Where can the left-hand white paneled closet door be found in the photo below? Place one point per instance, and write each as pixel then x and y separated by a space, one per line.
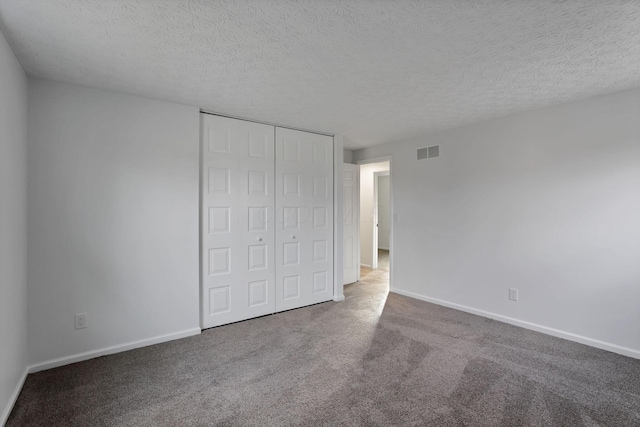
pixel 238 237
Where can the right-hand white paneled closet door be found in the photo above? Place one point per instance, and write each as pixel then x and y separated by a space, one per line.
pixel 304 224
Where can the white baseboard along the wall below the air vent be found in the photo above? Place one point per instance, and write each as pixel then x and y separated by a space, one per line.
pixel 625 351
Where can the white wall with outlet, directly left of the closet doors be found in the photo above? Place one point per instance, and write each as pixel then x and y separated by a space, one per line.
pixel 113 221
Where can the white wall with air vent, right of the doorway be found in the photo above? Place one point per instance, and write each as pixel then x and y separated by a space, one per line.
pixel 547 202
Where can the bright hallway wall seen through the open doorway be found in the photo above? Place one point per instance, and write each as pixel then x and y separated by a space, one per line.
pixel 367 210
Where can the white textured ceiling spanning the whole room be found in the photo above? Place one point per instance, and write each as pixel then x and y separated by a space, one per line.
pixel 373 71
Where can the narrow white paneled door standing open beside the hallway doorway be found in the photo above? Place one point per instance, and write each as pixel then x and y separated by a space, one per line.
pixel 351 222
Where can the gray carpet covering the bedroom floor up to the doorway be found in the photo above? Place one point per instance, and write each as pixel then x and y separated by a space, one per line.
pixel 370 360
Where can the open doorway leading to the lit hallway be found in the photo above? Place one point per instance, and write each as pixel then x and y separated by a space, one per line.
pixel 375 220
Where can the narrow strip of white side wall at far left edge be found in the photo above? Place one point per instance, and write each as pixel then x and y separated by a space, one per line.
pixel 13 234
